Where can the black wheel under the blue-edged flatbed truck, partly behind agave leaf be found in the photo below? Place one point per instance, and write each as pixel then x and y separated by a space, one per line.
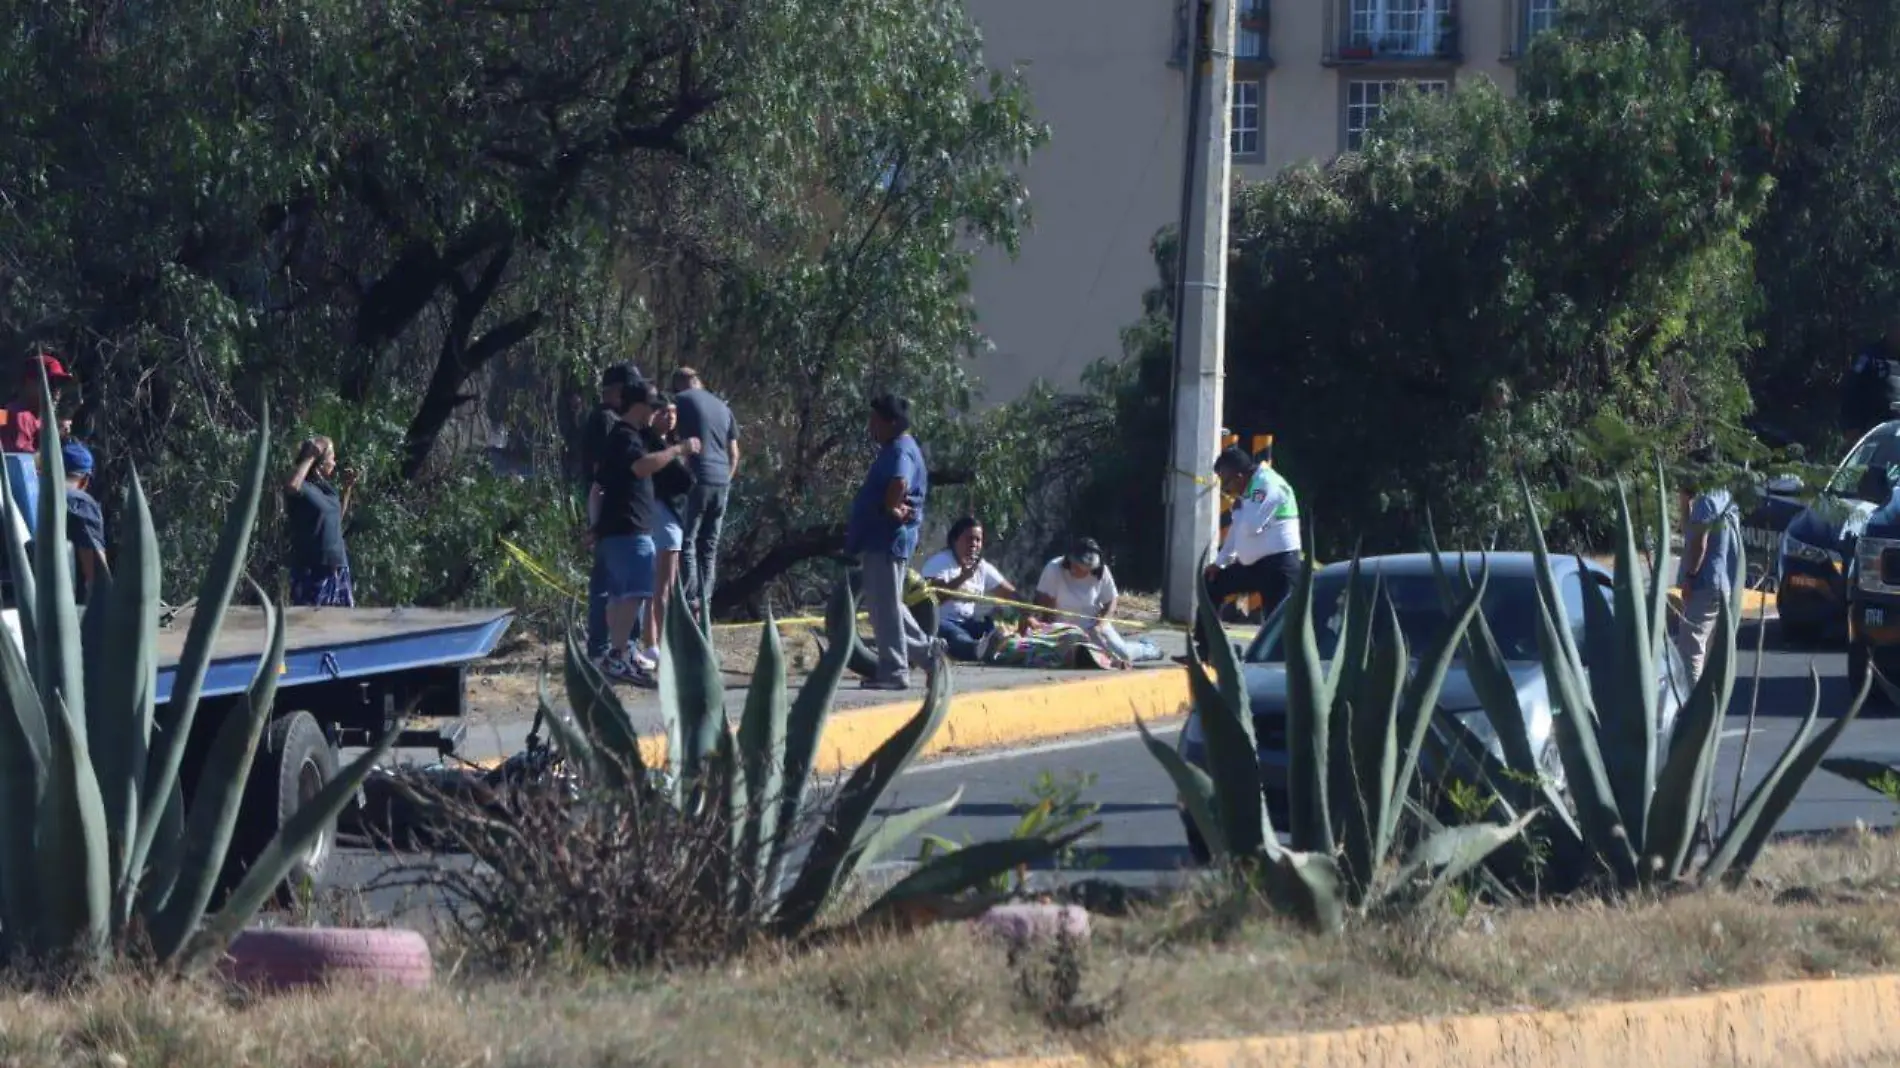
pixel 292 767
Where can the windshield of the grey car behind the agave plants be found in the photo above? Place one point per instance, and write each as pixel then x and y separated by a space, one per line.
pixel 1510 609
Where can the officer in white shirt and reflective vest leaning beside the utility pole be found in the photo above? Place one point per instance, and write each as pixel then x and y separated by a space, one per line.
pixel 1263 552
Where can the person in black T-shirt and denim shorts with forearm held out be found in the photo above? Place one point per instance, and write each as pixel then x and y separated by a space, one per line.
pixel 624 531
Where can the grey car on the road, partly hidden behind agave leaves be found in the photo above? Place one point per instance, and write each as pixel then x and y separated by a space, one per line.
pixel 1413 588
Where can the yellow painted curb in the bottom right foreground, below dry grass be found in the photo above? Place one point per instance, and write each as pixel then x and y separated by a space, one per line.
pixel 1793 1025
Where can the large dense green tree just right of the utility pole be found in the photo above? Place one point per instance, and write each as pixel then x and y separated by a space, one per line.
pixel 1477 290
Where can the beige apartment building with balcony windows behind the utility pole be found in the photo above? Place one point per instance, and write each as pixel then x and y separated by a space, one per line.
pixel 1111 81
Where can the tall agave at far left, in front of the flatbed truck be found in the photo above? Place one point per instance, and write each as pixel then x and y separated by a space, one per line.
pixel 100 854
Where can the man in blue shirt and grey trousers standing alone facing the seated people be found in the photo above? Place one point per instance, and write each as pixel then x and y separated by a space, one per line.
pixel 886 520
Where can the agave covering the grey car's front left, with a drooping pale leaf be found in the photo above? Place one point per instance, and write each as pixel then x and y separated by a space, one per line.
pixel 1354 755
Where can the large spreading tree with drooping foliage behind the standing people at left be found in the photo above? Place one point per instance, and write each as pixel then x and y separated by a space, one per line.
pixel 419 227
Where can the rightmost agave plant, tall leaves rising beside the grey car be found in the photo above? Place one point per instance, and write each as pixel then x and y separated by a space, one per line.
pixel 1635 805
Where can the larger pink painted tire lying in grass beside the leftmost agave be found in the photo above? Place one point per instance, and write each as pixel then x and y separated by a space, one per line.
pixel 280 959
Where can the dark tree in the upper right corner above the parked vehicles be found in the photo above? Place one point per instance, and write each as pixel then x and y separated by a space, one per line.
pixel 1829 238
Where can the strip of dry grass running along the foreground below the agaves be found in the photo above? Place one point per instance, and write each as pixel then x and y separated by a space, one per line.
pixel 1192 970
